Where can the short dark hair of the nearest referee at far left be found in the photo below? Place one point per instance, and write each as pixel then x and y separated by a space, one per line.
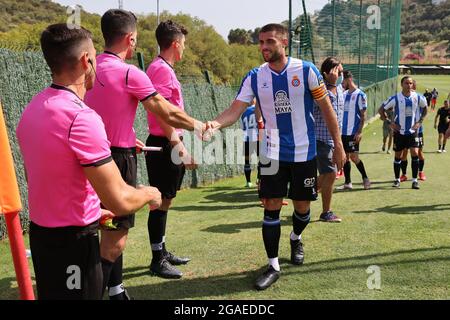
pixel 61 46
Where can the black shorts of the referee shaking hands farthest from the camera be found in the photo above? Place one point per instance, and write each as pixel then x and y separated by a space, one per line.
pixel 163 174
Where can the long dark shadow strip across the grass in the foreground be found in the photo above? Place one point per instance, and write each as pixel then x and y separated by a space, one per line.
pixel 238 282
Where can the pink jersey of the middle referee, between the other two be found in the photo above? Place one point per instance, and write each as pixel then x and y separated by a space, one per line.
pixel 116 95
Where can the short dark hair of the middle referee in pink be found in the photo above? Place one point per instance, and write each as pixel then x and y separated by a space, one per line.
pixel 116 23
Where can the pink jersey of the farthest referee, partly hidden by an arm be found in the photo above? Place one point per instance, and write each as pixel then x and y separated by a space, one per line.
pixel 164 79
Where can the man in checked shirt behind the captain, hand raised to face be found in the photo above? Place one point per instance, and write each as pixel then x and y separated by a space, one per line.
pixel 331 70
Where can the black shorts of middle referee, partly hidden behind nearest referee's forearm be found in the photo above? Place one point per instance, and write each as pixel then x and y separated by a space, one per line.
pixel 126 161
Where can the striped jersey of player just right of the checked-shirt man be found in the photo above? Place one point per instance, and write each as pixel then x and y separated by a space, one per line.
pixel 354 104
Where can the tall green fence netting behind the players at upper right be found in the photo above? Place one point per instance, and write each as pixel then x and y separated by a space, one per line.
pixel 363 34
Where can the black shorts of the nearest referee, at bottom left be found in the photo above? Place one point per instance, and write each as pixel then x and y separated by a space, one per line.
pixel 67 262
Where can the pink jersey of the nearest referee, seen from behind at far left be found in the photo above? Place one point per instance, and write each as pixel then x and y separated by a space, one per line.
pixel 58 136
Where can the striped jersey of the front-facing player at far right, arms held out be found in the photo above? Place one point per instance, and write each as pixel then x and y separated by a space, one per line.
pixel 405 110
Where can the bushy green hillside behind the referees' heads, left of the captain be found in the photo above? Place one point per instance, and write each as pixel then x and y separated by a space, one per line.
pixel 23 21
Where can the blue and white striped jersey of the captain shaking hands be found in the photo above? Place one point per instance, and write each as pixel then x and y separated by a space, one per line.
pixel 286 100
